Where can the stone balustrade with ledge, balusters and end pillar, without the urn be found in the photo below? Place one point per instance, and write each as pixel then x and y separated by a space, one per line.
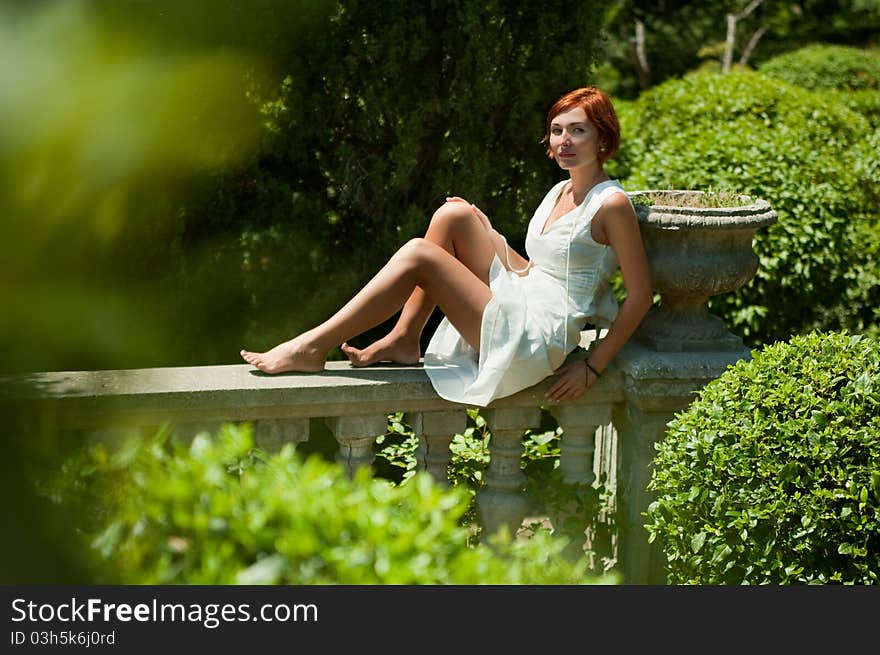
pixel 631 404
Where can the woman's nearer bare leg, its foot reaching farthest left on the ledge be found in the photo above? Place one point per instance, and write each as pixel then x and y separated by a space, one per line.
pixel 461 294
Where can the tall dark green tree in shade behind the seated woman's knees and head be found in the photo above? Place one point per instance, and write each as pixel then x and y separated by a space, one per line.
pixel 392 108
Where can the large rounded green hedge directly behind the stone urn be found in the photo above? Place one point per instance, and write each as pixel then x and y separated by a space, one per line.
pixel 808 156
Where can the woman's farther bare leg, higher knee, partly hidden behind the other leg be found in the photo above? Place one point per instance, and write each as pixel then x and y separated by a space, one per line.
pixel 456 228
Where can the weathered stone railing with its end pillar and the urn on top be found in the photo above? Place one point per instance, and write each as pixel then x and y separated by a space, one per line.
pixel 695 251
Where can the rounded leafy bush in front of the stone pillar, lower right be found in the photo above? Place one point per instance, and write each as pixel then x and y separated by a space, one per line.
pixel 772 476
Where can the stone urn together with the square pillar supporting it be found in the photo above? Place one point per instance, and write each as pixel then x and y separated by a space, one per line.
pixel 694 253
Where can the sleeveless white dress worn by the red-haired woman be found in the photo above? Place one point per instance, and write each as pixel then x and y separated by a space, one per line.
pixel 533 321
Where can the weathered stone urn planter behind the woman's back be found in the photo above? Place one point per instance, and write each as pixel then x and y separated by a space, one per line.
pixel 696 250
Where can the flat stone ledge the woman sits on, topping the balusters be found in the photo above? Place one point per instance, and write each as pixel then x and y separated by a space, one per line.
pixel 241 393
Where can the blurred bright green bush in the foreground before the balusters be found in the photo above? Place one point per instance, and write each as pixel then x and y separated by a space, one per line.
pixel 219 511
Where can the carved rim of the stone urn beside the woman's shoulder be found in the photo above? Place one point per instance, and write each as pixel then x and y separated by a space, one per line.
pixel 757 213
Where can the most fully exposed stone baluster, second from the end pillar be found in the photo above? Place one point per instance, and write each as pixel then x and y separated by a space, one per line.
pixel 502 503
